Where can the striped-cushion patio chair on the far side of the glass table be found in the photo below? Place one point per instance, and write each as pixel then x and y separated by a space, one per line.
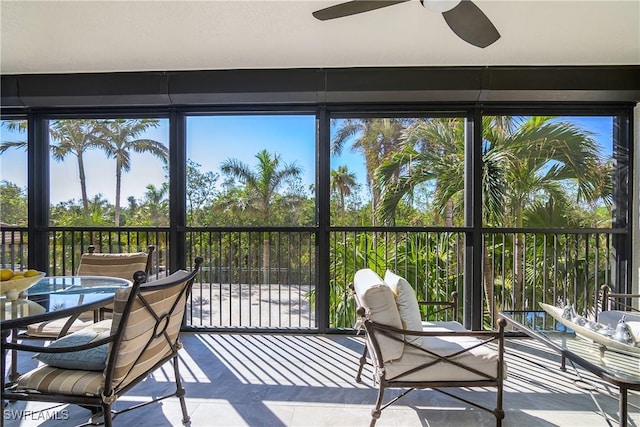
pixel 121 265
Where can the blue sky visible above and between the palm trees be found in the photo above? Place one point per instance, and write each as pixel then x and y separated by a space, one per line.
pixel 210 141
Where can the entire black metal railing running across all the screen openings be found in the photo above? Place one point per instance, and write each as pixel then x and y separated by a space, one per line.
pixel 267 278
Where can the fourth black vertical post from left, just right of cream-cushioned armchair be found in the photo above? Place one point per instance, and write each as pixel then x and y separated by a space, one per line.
pixel 473 301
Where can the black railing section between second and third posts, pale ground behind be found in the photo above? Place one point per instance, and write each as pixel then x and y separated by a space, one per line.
pixel 254 278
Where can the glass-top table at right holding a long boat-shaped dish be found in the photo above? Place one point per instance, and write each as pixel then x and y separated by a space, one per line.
pixel 616 367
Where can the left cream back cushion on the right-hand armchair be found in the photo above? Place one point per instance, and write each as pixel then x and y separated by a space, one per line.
pixel 379 302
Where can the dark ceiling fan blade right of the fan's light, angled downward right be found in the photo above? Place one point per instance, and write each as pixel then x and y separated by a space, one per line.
pixel 471 24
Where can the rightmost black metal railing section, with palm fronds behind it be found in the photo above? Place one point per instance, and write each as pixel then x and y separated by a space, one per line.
pixel 528 267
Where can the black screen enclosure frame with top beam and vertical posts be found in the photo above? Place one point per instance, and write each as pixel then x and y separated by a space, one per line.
pixel 379 103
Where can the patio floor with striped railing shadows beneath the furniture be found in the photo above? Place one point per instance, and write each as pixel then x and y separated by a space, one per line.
pixel 308 380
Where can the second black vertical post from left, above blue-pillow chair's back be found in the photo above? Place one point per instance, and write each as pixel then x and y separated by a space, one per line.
pixel 177 192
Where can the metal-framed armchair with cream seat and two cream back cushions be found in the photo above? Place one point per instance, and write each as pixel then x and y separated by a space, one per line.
pixel 408 353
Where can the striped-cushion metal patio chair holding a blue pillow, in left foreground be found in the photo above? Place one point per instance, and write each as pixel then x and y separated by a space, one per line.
pixel 96 366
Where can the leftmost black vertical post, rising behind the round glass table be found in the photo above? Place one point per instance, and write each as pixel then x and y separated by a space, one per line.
pixel 38 192
